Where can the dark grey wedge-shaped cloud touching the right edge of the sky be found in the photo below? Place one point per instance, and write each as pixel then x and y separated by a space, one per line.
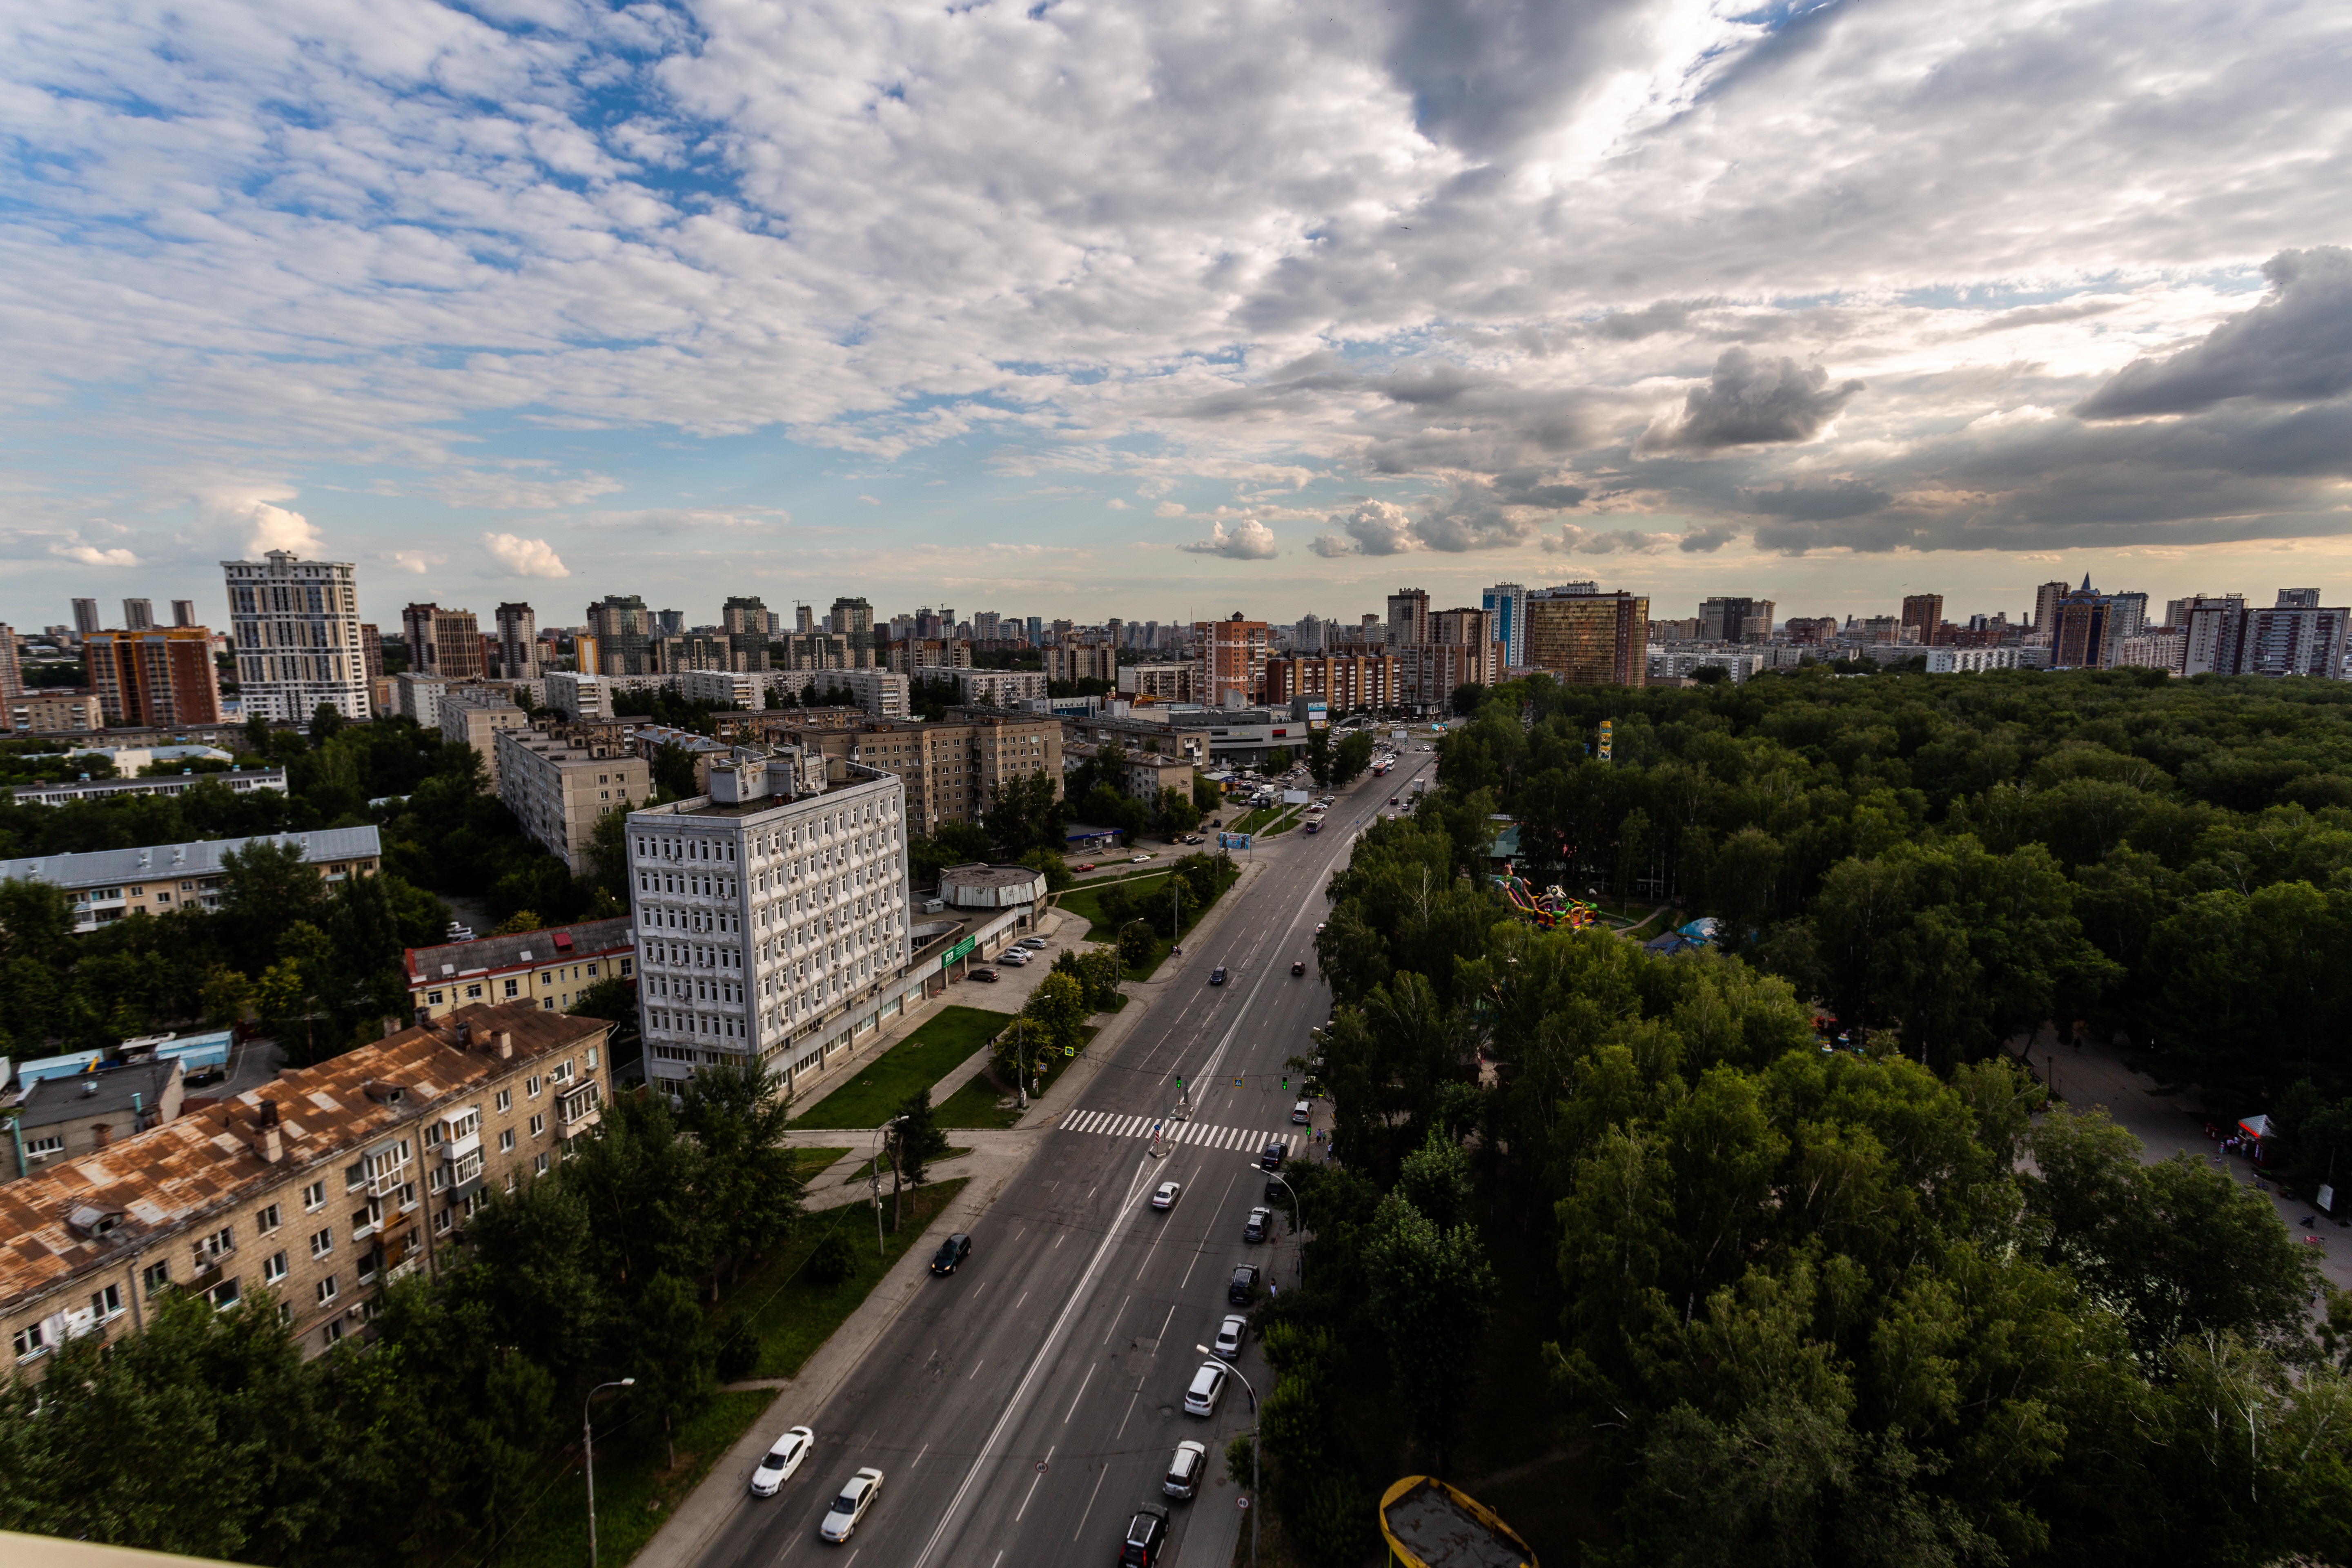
pixel 2294 347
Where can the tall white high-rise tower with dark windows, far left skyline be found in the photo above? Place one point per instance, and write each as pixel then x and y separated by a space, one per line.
pixel 298 629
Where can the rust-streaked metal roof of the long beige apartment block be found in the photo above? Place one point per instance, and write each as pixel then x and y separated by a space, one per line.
pixel 201 1162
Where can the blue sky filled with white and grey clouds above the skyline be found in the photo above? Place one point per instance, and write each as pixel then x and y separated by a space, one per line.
pixel 1175 309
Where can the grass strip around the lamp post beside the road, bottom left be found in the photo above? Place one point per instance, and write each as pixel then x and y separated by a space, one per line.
pixel 634 1485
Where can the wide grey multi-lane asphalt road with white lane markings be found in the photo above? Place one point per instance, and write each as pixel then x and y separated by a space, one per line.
pixel 1027 1407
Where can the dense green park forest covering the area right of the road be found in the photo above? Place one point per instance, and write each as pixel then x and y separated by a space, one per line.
pixel 1737 1296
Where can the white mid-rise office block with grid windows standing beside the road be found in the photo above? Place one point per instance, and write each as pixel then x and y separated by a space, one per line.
pixel 773 913
